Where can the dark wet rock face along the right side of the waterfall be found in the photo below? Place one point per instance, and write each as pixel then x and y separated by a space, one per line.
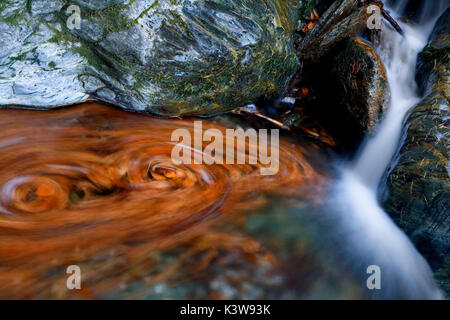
pixel 418 195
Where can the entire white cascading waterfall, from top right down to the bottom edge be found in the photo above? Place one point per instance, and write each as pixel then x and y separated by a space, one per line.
pixel 372 236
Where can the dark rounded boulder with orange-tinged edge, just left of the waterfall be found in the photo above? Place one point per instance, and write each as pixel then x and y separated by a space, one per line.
pixel 347 93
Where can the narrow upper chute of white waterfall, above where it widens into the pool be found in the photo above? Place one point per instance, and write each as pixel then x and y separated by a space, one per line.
pixel 399 55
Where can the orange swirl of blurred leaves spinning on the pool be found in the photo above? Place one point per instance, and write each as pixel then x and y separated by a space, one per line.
pixel 84 180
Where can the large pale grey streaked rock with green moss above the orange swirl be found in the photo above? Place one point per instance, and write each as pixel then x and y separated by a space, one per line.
pixel 165 57
